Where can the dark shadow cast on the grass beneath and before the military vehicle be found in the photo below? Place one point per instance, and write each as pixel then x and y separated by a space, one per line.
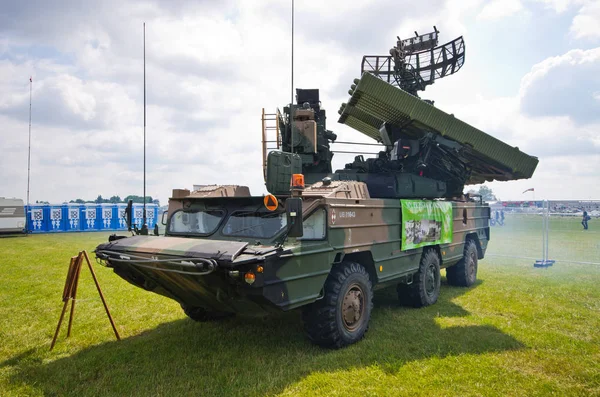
pixel 241 356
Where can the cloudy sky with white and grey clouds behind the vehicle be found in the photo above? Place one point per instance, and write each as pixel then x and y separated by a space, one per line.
pixel 531 78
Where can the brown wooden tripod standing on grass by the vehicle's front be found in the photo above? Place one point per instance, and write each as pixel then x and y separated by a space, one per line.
pixel 70 293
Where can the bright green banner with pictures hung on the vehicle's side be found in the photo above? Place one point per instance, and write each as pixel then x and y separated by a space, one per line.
pixel 425 223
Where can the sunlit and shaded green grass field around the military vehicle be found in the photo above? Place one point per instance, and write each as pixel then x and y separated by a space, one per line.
pixel 519 331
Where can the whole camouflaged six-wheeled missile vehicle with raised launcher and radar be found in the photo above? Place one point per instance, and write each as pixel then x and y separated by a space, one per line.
pixel 323 240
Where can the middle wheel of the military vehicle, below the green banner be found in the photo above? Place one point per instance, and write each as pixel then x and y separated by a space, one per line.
pixel 425 288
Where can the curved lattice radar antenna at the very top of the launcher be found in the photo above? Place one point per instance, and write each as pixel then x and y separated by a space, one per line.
pixel 415 63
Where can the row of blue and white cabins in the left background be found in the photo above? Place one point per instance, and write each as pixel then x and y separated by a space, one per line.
pixel 57 218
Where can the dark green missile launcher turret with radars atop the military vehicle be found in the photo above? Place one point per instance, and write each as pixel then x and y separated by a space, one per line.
pixel 424 152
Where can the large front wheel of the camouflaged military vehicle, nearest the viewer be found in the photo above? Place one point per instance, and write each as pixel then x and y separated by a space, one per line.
pixel 342 316
